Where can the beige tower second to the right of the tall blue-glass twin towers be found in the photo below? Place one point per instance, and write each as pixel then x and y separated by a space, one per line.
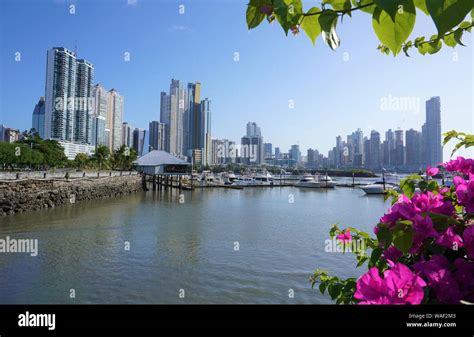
pixel 114 118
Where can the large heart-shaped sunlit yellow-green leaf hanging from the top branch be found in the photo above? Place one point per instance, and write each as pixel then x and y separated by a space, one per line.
pixel 394 32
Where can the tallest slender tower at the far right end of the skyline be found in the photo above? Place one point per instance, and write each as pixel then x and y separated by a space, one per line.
pixel 432 133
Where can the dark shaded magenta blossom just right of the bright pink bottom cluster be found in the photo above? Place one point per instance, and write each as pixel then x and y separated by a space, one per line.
pixel 436 272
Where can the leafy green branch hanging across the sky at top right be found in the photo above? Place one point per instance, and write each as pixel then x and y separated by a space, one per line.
pixel 392 20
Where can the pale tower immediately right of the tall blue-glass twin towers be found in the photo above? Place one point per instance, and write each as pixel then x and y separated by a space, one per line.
pixel 99 136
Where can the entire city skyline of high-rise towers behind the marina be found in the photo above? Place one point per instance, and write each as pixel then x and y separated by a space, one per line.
pixel 82 116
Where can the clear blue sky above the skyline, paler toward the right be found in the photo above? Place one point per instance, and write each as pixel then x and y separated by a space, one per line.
pixel 333 92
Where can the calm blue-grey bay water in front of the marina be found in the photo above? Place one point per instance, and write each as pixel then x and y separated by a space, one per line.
pixel 186 246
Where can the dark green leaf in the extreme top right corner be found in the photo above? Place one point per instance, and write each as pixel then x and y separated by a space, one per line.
pixel 447 14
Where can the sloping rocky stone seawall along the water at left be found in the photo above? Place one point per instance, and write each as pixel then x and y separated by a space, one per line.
pixel 36 194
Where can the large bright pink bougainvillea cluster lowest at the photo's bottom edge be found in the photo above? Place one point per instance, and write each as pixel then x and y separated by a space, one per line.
pixel 398 286
